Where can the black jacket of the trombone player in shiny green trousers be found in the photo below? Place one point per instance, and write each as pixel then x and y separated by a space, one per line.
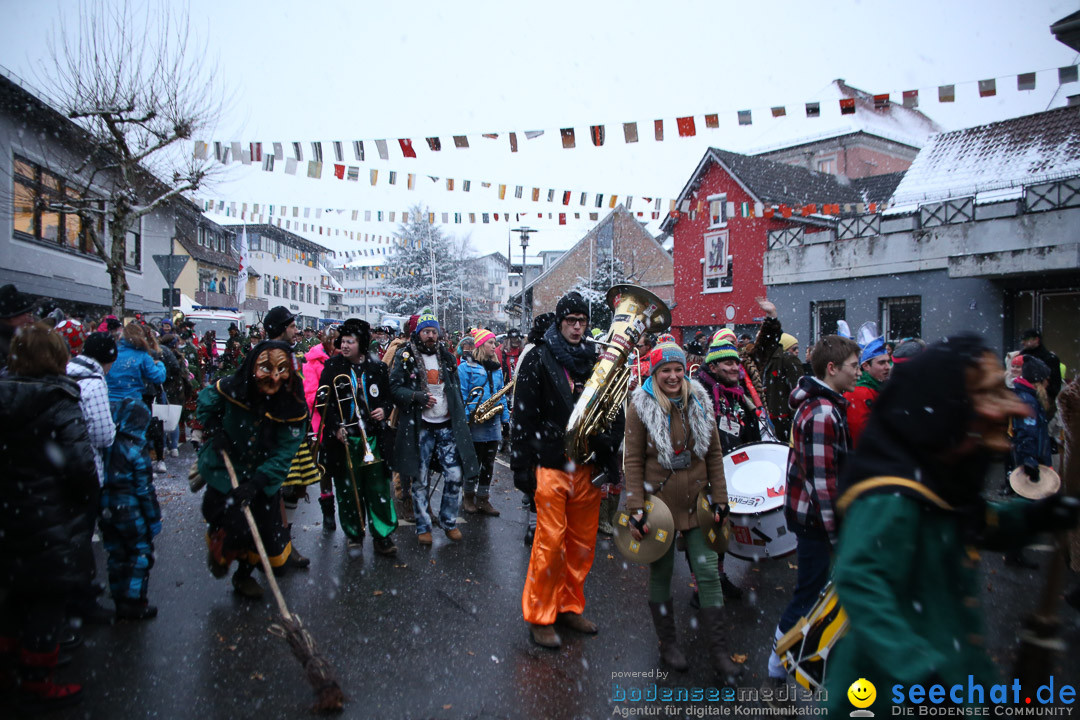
pixel 374 387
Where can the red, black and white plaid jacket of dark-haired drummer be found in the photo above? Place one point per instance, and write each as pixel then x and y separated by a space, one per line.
pixel 820 441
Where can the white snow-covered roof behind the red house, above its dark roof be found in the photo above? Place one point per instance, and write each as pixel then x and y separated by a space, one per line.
pixel 893 123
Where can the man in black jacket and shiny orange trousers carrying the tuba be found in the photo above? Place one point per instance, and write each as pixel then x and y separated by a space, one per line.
pixel 549 383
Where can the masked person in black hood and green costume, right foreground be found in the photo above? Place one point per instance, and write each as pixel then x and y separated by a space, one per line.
pixel 907 568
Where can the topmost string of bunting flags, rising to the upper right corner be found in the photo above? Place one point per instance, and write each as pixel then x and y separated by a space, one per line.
pixel 251 153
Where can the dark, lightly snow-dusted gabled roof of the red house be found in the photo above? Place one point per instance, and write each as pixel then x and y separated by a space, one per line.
pixel 773 183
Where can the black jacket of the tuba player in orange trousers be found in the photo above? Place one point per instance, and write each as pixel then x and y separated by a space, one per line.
pixel 544 402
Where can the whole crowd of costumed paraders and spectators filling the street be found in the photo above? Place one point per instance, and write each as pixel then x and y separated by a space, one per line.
pixel 890 449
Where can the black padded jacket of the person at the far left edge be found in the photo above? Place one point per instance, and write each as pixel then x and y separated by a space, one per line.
pixel 48 479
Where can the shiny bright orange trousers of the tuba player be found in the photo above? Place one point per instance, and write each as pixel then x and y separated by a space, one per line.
pixel 568 515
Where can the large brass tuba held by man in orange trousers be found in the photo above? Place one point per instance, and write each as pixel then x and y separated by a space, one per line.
pixel 637 311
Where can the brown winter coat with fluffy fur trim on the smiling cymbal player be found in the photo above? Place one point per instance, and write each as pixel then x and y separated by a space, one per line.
pixel 649 451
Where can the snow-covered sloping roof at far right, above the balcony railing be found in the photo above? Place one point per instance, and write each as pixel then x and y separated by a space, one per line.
pixel 1007 155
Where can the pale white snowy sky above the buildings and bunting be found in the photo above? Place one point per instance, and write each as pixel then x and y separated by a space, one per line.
pixel 372 71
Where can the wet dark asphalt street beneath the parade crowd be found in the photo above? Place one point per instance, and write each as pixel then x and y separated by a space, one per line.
pixel 434 633
